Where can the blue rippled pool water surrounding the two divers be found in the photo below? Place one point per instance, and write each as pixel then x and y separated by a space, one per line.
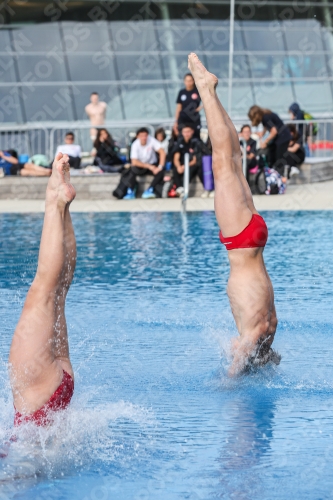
pixel 154 415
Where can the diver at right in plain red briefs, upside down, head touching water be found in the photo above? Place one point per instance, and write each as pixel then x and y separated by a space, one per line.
pixel 243 232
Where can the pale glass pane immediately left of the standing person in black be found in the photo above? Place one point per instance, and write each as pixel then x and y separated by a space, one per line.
pixel 144 101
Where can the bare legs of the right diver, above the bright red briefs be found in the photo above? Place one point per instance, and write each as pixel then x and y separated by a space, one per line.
pixel 233 200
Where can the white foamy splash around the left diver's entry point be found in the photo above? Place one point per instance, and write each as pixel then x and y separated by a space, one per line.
pixel 79 436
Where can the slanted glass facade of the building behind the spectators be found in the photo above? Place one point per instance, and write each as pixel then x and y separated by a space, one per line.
pixel 53 55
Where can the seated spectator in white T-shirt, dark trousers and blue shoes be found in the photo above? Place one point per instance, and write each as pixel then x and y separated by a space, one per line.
pixel 144 161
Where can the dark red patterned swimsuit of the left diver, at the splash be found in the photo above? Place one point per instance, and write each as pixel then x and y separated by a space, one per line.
pixel 59 401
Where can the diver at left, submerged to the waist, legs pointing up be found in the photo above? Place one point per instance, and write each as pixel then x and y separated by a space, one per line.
pixel 41 373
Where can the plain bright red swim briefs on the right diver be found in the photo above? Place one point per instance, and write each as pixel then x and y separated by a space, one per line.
pixel 254 235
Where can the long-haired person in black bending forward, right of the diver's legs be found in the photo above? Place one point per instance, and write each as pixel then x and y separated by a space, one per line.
pixel 278 139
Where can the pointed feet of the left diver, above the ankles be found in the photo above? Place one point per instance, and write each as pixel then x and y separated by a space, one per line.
pixel 59 187
